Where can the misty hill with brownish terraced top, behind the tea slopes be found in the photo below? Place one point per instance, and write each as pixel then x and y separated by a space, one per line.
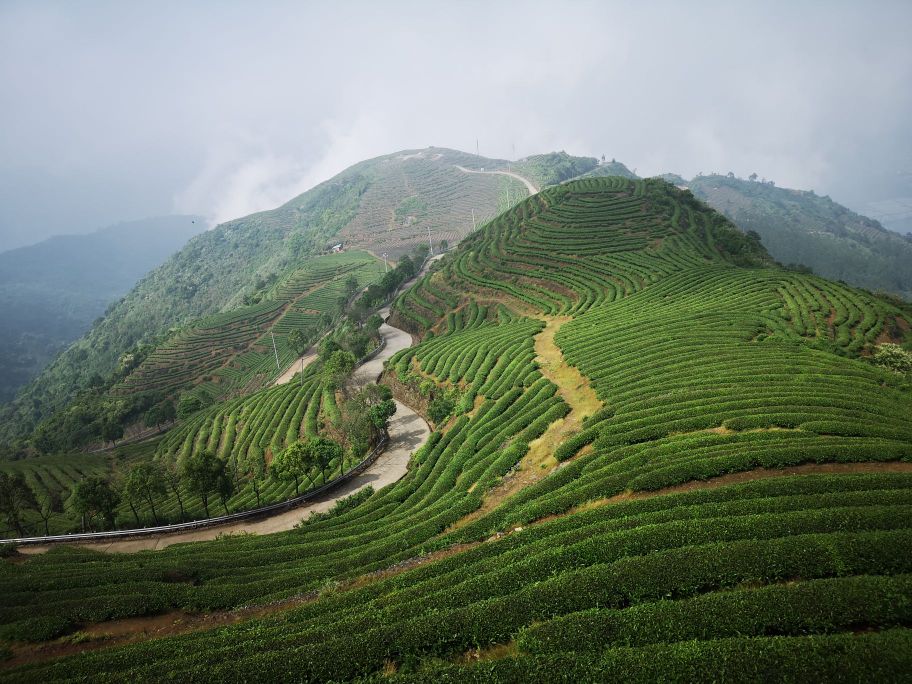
pixel 380 205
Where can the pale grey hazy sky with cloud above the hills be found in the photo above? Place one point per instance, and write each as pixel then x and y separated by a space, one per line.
pixel 115 111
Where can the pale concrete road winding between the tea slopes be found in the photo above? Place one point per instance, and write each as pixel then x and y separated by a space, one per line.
pixel 407 431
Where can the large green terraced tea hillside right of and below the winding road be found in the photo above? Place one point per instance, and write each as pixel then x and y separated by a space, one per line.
pixel 656 455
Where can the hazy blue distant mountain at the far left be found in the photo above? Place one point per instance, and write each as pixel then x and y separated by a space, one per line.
pixel 52 291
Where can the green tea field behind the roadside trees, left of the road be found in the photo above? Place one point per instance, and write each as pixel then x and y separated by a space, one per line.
pixel 244 432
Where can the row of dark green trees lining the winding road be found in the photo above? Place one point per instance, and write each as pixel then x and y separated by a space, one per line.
pixel 364 421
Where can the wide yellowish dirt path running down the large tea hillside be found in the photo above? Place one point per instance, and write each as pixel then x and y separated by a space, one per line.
pixel 574 388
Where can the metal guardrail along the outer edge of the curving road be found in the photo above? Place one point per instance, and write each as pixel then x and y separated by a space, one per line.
pixel 208 522
